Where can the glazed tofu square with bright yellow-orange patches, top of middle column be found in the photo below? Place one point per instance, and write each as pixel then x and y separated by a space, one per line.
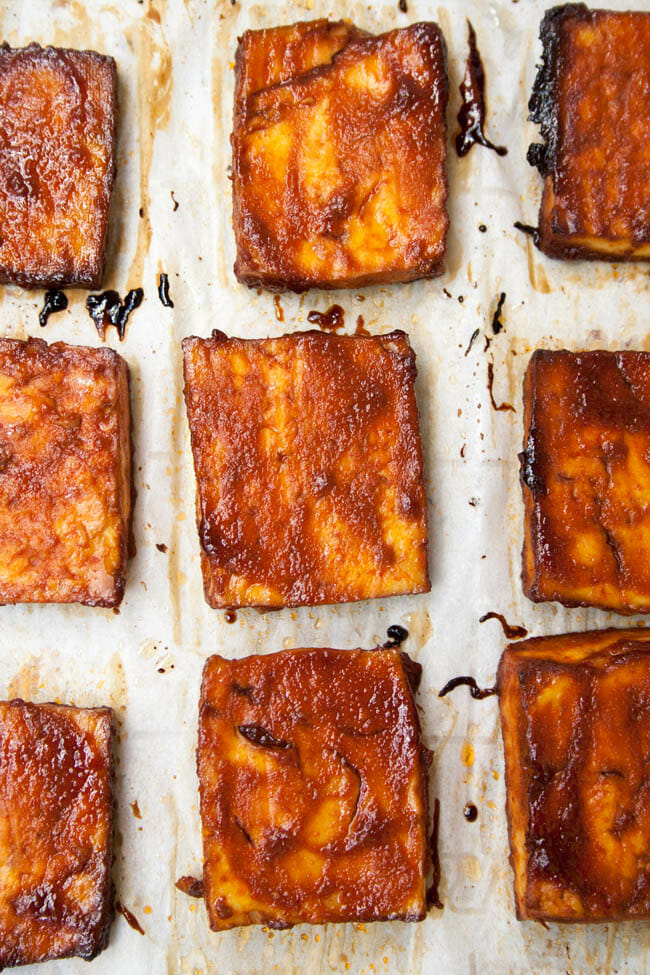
pixel 339 148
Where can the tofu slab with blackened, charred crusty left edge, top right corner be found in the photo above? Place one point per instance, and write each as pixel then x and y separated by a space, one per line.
pixel 591 101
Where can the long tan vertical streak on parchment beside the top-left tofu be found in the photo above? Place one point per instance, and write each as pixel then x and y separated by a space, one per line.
pixel 154 85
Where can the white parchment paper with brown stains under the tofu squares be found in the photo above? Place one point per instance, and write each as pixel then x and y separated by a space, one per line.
pixel 175 66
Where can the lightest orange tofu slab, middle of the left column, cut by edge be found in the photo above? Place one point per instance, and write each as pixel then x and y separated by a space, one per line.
pixel 65 473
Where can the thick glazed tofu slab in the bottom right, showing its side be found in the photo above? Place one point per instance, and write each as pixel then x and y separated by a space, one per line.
pixel 575 713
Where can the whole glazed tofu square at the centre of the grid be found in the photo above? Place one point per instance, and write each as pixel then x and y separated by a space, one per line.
pixel 309 468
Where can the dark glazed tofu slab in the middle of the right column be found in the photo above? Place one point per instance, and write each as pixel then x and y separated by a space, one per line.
pixel 585 473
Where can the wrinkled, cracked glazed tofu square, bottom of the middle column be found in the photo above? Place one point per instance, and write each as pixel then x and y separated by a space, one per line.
pixel 313 789
